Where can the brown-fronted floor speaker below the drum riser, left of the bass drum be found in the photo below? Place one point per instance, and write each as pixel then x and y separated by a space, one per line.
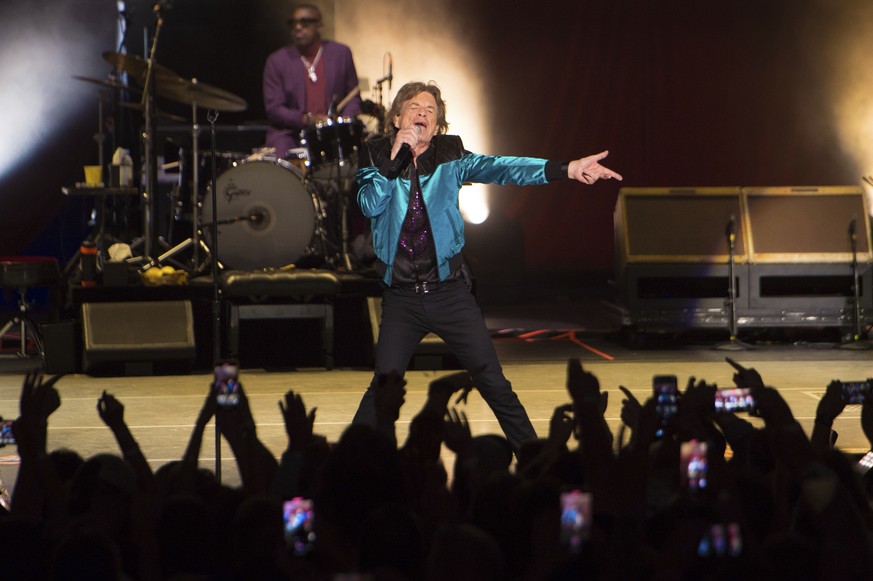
pixel 138 338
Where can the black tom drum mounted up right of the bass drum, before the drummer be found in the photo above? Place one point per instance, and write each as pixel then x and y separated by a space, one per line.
pixel 332 148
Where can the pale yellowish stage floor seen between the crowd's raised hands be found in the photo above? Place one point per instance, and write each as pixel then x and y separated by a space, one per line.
pixel 533 341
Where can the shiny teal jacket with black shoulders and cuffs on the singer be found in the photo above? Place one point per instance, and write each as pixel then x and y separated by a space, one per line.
pixel 442 170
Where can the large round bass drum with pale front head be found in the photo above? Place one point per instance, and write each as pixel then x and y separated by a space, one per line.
pixel 266 215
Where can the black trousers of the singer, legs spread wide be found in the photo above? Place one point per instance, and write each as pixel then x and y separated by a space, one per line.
pixel 451 312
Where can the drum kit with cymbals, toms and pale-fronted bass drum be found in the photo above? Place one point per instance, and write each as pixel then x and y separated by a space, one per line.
pixel 268 211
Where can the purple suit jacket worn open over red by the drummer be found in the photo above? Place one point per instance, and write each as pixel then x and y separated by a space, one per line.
pixel 285 91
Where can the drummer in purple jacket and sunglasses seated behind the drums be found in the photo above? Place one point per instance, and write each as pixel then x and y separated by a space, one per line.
pixel 305 81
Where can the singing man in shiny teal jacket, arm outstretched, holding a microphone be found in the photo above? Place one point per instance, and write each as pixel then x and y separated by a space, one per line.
pixel 409 185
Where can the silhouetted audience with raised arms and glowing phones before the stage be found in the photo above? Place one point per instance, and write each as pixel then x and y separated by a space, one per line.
pixel 765 500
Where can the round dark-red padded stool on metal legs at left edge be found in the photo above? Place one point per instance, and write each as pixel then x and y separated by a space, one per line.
pixel 20 274
